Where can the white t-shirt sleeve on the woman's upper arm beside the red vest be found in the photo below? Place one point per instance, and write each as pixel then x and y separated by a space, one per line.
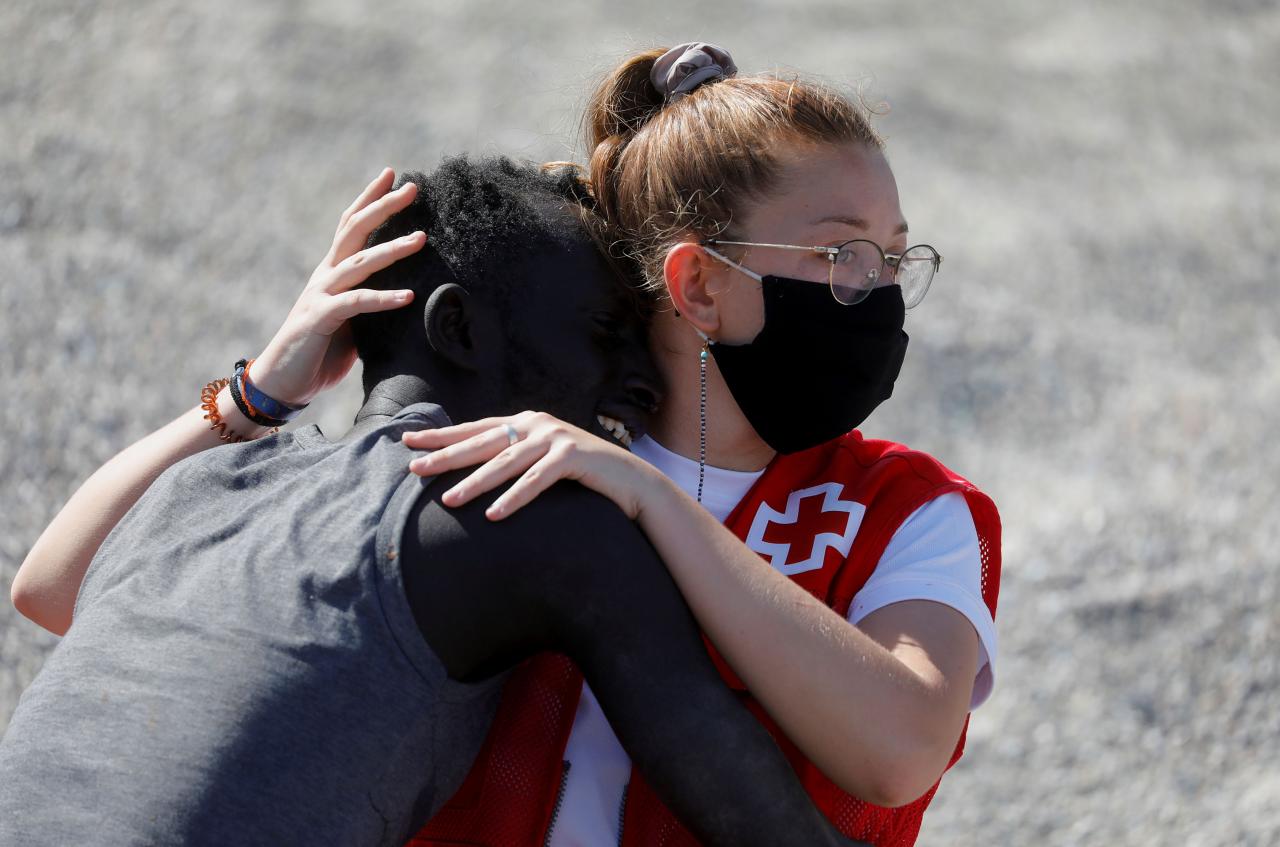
pixel 934 556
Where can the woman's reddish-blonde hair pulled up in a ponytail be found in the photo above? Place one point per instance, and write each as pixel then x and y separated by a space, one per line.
pixel 662 171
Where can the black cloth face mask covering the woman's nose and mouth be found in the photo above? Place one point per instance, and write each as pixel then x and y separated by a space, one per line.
pixel 819 368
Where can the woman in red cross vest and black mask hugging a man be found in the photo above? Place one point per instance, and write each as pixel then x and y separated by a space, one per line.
pixel 769 227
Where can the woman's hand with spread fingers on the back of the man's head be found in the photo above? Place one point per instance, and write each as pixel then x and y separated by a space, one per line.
pixel 313 350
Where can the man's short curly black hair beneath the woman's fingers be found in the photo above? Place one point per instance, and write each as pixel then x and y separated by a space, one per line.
pixel 482 218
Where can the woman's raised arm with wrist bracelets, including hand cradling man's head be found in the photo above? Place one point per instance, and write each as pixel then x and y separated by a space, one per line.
pixel 310 352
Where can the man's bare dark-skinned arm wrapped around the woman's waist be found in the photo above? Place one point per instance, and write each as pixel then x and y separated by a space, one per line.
pixel 573 575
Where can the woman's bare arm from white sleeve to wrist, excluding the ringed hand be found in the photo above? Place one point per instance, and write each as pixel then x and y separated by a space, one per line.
pixel 879 707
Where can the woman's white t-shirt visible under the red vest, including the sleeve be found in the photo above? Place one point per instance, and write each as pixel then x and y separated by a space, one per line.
pixel 934 556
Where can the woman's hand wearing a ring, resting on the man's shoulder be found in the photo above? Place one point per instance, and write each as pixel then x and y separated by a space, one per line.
pixel 547 451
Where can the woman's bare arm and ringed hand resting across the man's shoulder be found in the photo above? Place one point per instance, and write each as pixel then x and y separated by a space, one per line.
pixel 879 707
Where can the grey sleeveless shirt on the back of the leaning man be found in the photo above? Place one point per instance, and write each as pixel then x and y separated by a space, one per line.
pixel 244 667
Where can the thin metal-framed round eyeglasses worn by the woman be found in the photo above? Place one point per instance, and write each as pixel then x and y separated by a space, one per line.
pixel 860 267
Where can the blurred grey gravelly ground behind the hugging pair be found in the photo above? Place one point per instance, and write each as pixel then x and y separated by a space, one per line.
pixel 1100 351
